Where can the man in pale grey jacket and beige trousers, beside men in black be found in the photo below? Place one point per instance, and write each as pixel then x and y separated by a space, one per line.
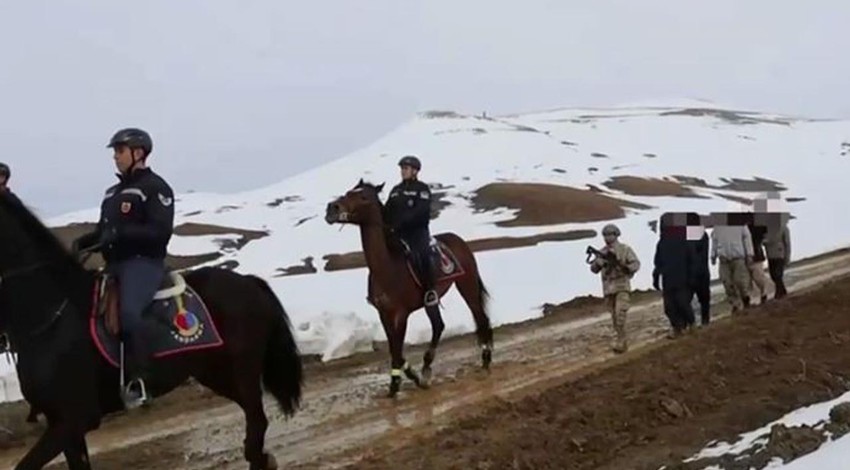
pixel 732 242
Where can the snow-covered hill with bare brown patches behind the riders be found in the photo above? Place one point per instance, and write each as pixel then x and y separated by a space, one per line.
pixel 548 179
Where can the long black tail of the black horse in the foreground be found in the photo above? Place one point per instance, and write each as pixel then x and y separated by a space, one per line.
pixel 283 372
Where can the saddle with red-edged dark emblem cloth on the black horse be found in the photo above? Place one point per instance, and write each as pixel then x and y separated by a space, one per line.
pixel 176 320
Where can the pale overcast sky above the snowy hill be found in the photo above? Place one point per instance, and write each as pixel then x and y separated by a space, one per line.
pixel 239 94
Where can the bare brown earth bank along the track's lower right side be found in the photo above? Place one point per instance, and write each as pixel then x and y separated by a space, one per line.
pixel 661 407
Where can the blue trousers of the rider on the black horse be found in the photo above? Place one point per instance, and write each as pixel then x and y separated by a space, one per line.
pixel 139 279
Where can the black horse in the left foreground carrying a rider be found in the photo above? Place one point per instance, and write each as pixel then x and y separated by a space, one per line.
pixel 46 297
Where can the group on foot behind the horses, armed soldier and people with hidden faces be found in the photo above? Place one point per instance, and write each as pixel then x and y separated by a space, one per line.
pixel 740 241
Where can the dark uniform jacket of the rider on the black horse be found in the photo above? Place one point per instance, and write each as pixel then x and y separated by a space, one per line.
pixel 136 218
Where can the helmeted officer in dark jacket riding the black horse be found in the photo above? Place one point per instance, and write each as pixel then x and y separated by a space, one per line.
pixel 135 226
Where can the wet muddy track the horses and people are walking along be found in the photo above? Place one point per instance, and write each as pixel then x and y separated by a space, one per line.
pixel 345 417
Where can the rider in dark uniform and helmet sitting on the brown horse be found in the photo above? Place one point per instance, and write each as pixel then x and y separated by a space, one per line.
pixel 409 213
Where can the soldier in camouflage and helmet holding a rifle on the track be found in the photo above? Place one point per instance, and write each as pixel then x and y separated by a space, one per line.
pixel 616 273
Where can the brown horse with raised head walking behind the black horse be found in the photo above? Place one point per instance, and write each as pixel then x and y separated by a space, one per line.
pixel 396 293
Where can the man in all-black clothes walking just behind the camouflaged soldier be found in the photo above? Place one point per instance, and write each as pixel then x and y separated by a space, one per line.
pixel 674 260
